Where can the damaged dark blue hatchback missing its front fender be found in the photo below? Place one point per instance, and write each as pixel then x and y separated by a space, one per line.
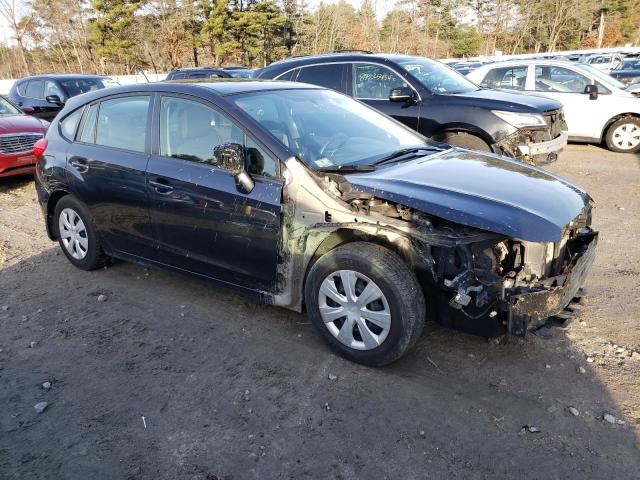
pixel 309 199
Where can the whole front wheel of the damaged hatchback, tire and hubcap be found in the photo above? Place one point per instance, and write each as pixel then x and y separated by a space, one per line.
pixel 365 302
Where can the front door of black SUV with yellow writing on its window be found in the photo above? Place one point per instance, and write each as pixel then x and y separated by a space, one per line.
pixel 372 84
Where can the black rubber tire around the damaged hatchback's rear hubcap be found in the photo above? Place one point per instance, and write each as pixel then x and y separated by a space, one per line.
pixel 95 256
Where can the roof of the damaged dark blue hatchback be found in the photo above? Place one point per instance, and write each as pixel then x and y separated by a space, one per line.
pixel 222 87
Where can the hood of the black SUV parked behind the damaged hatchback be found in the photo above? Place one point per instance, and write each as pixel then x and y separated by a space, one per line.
pixel 511 101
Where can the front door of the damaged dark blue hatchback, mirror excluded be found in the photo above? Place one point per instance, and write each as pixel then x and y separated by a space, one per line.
pixel 203 223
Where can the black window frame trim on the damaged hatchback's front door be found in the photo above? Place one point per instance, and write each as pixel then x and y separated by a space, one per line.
pixel 155 134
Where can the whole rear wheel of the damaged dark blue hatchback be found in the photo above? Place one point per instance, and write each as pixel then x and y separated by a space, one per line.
pixel 76 234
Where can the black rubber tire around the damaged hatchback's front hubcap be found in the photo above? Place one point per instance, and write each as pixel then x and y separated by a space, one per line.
pixel 396 281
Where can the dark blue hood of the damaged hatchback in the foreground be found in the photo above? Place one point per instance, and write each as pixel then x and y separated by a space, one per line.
pixel 480 190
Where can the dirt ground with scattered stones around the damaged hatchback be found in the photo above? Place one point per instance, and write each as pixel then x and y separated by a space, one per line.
pixel 173 378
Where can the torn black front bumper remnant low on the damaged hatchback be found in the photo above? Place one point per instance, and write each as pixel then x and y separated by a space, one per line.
pixel 552 295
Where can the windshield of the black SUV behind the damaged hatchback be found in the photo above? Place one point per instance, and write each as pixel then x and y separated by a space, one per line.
pixel 436 77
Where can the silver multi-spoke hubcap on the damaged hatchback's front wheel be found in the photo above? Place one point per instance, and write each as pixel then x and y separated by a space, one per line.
pixel 354 309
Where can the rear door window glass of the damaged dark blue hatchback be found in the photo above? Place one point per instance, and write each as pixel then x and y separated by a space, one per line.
pixel 122 123
